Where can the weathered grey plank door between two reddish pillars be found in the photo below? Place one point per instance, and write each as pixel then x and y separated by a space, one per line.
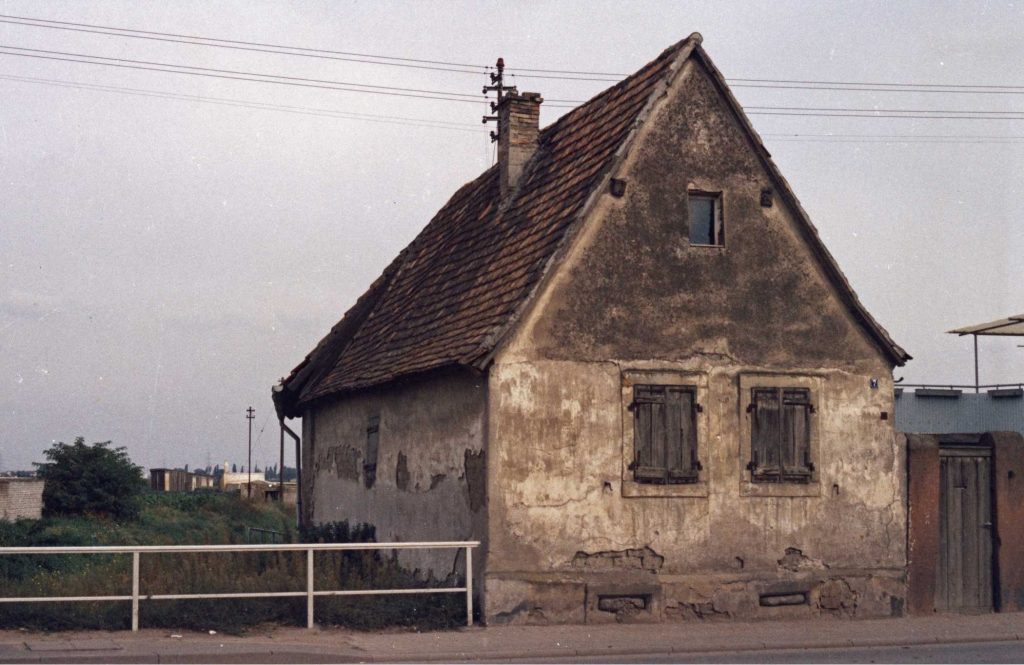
pixel 965 570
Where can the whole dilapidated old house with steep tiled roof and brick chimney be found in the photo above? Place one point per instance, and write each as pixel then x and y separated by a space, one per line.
pixel 623 359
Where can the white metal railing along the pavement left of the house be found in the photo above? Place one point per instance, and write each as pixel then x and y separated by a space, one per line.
pixel 311 593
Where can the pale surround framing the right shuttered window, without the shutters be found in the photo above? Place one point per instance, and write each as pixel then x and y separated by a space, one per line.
pixel 797 485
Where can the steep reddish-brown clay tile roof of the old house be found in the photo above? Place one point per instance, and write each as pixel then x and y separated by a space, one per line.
pixel 449 297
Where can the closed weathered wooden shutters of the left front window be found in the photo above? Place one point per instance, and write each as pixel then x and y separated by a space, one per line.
pixel 665 435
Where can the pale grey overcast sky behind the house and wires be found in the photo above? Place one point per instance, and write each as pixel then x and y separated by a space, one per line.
pixel 165 261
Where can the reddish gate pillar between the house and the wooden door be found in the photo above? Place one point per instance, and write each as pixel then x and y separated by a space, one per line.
pixel 923 522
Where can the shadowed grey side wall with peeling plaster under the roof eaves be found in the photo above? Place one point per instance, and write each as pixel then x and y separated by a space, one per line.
pixel 432 461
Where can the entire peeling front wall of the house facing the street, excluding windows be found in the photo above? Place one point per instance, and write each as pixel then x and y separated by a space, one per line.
pixel 633 297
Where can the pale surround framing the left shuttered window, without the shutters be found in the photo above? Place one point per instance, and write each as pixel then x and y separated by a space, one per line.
pixel 669 379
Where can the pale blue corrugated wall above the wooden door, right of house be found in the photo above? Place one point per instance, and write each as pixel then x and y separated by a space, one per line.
pixel 969 412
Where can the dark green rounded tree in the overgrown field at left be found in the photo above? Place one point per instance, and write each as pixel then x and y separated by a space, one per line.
pixel 95 479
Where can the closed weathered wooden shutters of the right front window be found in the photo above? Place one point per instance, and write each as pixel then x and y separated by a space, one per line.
pixel 781 436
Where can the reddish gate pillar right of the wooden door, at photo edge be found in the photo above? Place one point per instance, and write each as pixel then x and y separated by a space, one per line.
pixel 1008 470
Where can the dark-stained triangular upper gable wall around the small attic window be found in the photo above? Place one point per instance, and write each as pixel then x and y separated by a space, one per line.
pixel 635 288
